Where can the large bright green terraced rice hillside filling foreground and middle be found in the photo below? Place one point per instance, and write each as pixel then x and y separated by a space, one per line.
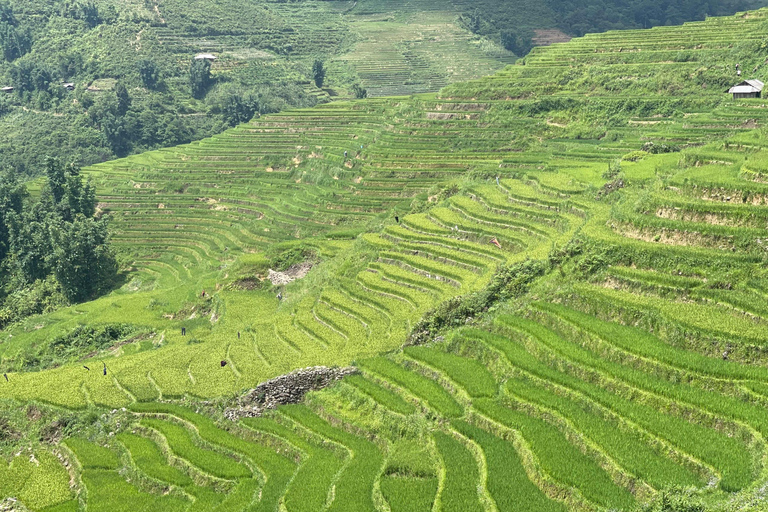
pixel 625 357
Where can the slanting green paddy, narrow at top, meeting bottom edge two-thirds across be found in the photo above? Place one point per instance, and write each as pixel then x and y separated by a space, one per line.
pixel 508 483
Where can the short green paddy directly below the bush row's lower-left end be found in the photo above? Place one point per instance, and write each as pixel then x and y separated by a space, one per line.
pixel 470 374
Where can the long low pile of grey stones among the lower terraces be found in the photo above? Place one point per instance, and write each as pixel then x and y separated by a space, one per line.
pixel 286 389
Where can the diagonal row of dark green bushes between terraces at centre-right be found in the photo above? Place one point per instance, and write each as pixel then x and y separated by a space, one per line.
pixel 508 282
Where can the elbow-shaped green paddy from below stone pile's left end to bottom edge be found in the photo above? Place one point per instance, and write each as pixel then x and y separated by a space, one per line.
pixel 309 488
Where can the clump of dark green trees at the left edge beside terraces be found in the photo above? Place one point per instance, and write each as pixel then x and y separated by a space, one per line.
pixel 54 249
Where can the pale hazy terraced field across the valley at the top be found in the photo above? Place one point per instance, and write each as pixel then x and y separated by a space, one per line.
pixel 389 46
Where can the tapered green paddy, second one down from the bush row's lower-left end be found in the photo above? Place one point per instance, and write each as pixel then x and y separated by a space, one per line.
pixel 424 388
